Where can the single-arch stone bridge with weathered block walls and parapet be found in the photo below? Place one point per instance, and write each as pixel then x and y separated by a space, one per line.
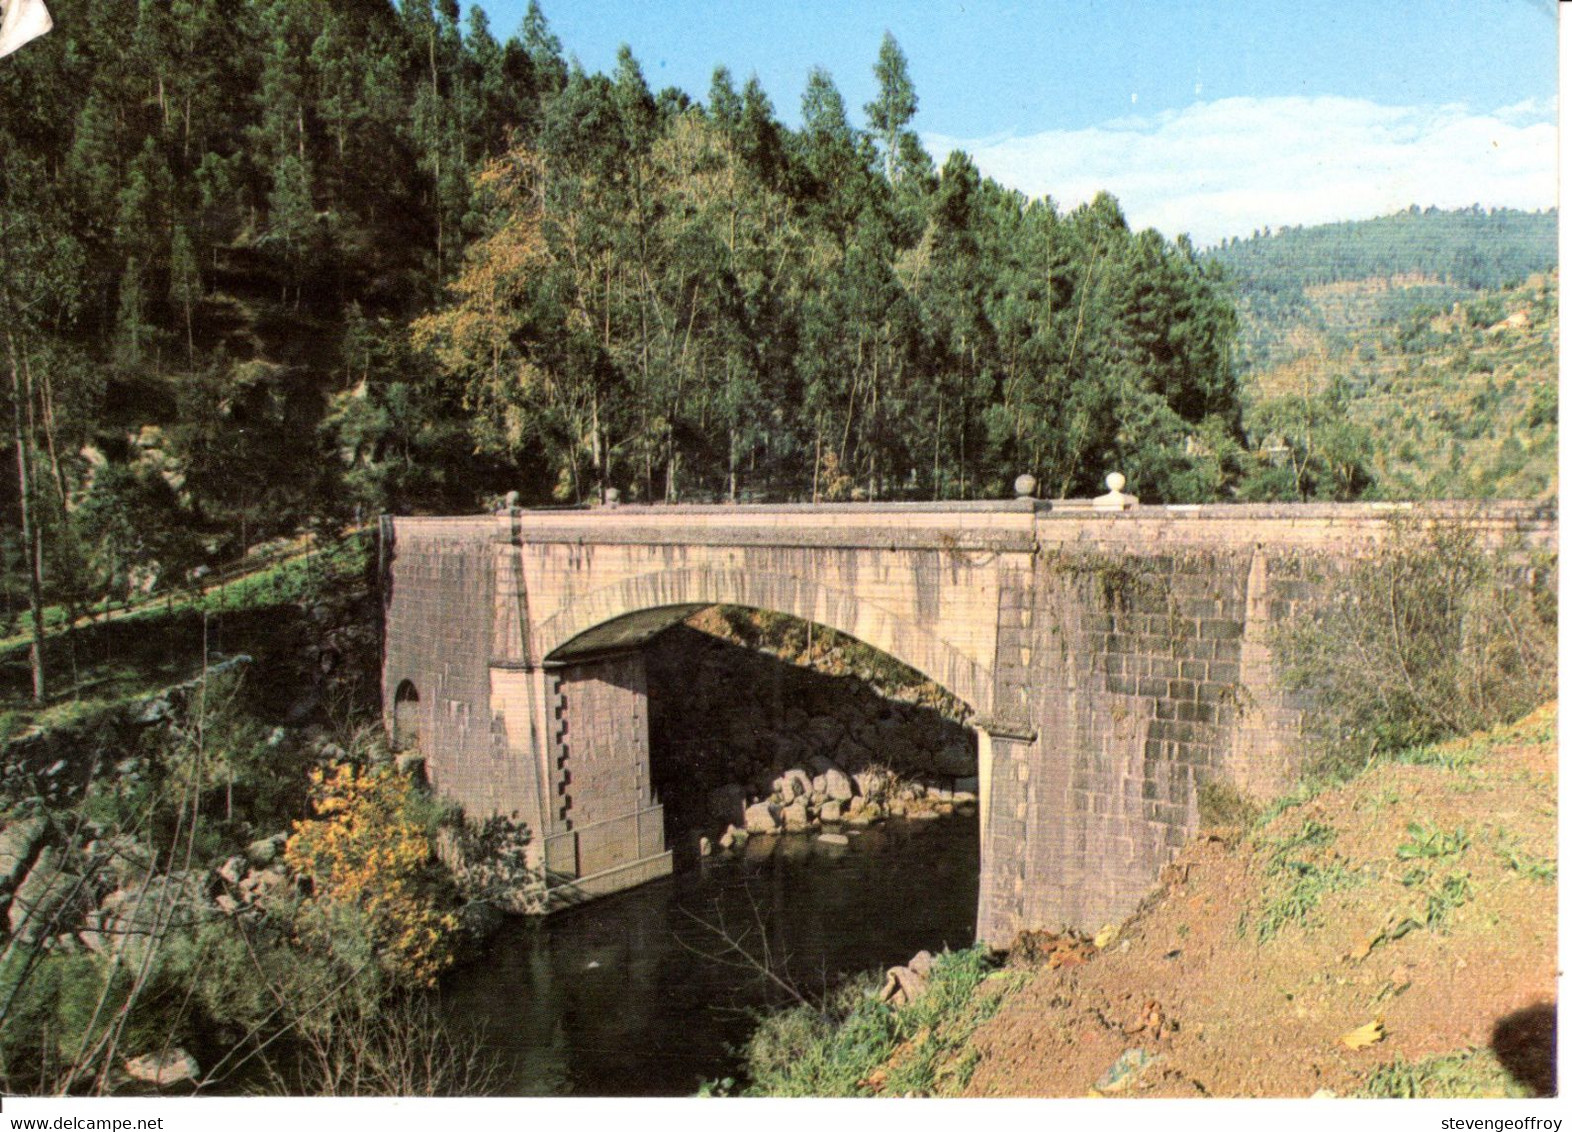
pixel 1115 660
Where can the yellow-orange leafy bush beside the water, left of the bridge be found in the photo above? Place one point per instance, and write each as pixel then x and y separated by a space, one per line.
pixel 367 850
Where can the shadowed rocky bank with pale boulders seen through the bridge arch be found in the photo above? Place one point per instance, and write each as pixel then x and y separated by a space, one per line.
pixel 768 737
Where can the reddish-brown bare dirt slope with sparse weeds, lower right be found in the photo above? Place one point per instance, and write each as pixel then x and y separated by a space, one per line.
pixel 1395 936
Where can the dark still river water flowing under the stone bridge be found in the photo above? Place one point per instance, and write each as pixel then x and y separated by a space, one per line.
pixel 626 998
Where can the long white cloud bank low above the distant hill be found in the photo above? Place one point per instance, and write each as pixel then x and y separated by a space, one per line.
pixel 1229 167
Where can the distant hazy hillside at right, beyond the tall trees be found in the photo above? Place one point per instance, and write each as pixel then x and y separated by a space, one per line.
pixel 1405 358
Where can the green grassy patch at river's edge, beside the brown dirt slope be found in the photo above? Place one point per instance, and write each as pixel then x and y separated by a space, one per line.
pixel 859 1046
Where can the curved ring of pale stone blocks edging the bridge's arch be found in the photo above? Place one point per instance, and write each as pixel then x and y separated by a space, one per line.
pixel 648 603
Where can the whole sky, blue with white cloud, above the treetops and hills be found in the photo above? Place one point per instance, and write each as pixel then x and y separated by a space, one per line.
pixel 1211 117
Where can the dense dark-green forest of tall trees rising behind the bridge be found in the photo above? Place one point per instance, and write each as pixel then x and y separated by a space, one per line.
pixel 279 263
